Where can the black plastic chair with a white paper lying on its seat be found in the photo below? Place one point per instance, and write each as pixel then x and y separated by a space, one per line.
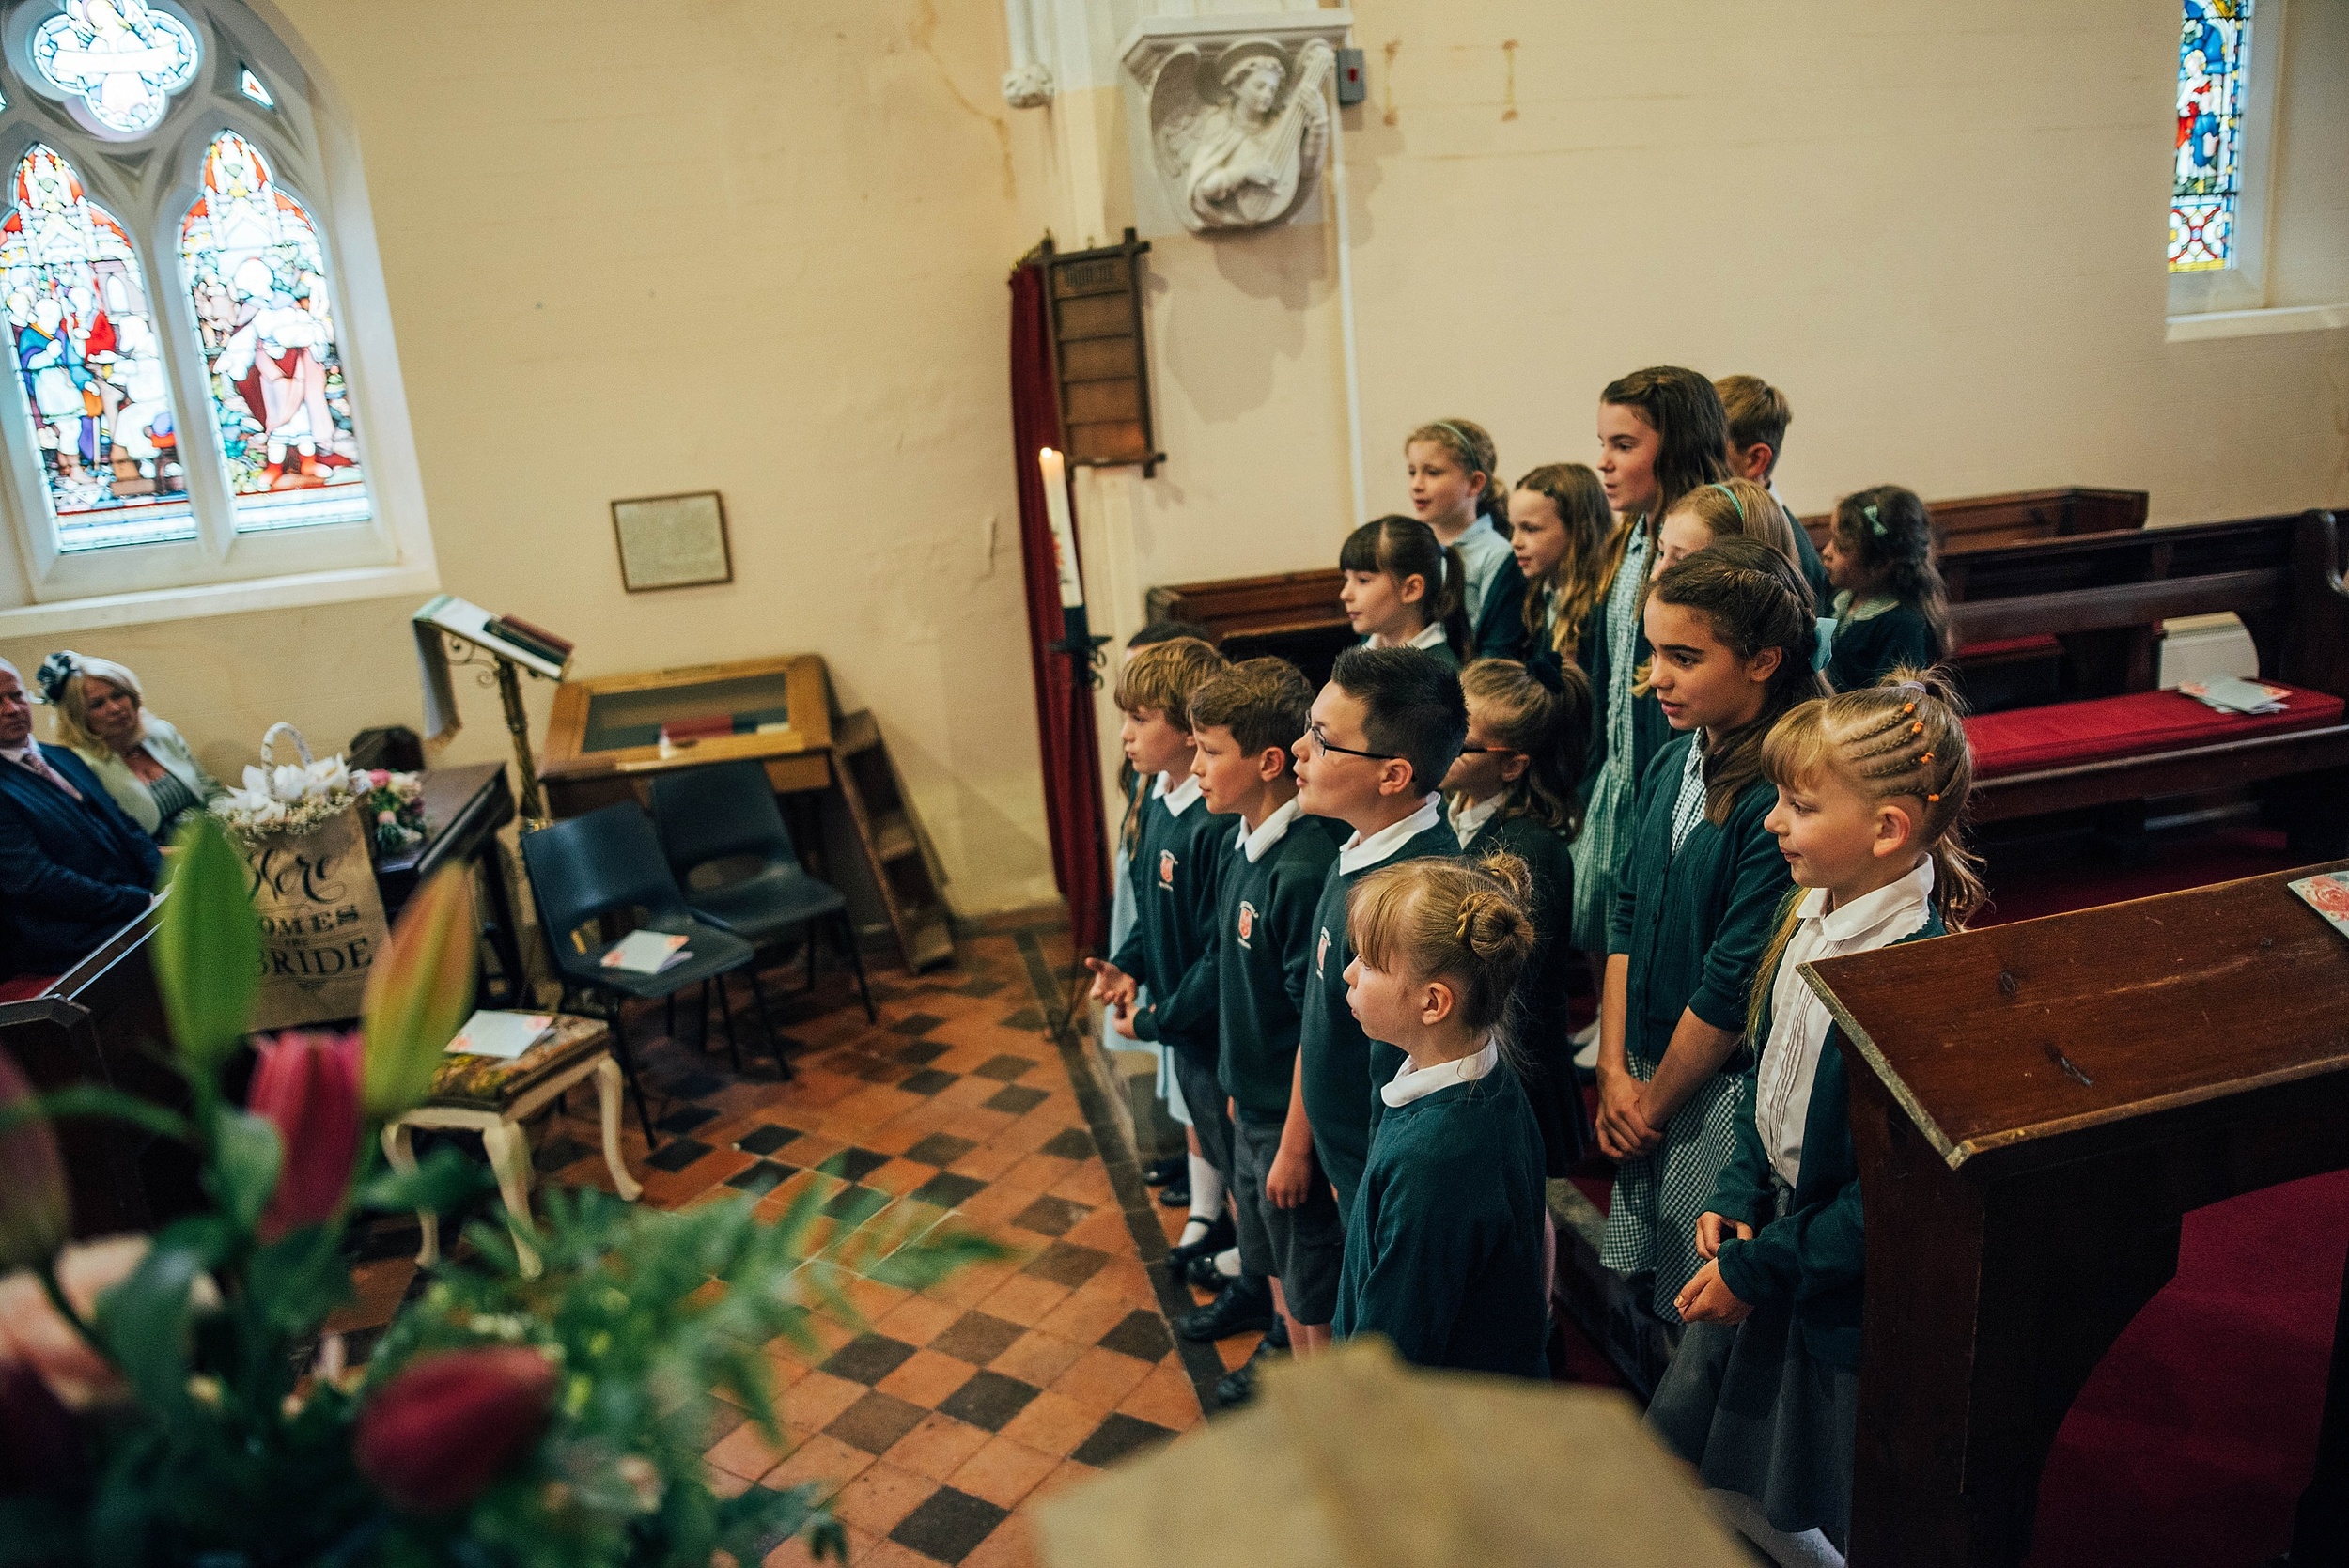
pixel 610 863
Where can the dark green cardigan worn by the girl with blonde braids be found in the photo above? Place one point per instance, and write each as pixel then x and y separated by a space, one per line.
pixel 1817 1252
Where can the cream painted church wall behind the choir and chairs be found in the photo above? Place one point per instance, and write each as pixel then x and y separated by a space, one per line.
pixel 760 248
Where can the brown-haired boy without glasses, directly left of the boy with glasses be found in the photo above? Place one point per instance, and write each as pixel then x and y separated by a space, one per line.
pixel 1274 872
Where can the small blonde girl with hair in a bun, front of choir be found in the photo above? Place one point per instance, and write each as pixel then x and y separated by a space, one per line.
pixel 1446 1236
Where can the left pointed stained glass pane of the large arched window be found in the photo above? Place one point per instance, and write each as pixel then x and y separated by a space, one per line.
pixel 90 365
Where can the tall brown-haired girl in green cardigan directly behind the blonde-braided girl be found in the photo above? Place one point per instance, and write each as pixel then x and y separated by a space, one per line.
pixel 1735 642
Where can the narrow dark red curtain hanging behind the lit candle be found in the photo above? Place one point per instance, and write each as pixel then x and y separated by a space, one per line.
pixel 1072 773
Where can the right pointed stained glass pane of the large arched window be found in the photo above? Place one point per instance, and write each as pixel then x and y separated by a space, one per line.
pixel 257 278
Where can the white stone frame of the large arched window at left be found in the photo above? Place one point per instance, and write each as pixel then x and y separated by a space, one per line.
pixel 149 184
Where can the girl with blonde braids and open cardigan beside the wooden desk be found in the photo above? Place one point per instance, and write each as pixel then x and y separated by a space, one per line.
pixel 1765 1391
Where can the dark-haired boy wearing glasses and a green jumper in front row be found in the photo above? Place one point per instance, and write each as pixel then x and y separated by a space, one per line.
pixel 1380 741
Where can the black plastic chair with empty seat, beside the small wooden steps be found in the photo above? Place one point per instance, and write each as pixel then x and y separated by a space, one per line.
pixel 727 811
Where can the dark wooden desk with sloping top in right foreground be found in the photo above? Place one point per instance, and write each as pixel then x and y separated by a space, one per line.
pixel 2035 1107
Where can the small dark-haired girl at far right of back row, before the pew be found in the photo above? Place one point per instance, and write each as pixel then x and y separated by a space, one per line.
pixel 1890 604
